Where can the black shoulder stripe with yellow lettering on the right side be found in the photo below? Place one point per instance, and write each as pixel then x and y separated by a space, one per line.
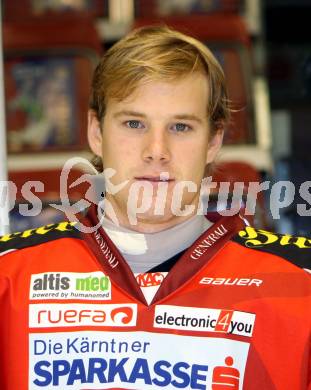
pixel 296 250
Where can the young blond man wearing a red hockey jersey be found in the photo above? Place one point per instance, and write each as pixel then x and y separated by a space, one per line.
pixel 158 295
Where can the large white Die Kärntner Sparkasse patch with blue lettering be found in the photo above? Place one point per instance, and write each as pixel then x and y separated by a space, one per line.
pixel 135 360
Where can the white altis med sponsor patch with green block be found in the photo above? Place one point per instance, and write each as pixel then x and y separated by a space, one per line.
pixel 70 285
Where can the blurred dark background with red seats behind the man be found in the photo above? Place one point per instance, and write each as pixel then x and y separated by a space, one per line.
pixel 50 48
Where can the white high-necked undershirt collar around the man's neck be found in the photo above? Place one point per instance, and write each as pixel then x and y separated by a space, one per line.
pixel 143 251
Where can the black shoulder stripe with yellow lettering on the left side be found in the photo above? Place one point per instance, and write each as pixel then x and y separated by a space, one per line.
pixel 37 236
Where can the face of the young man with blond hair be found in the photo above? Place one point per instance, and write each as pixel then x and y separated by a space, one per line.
pixel 160 128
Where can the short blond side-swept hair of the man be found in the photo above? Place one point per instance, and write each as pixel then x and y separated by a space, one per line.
pixel 157 53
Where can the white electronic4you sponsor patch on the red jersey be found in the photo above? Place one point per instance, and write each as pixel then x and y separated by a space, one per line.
pixel 204 320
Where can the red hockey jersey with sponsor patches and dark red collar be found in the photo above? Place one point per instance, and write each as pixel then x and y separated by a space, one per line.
pixel 234 312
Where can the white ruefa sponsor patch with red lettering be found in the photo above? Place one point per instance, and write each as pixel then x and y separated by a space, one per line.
pixel 76 314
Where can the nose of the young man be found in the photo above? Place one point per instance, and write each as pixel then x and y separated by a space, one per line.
pixel 156 146
